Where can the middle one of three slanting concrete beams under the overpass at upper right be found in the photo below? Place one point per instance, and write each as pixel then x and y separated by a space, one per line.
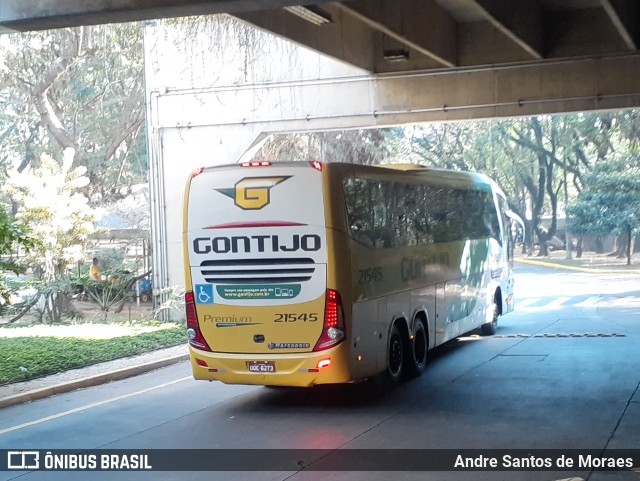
pixel 523 24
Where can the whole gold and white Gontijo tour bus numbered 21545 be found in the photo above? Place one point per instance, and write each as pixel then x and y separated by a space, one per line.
pixel 304 273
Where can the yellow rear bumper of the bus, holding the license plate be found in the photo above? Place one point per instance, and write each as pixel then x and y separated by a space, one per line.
pixel 292 369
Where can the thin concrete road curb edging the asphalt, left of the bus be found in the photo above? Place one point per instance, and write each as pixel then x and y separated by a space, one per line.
pixel 89 381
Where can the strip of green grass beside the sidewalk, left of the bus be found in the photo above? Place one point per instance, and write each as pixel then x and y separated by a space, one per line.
pixel 28 357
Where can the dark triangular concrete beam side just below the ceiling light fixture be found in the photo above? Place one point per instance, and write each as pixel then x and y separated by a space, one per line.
pixel 345 38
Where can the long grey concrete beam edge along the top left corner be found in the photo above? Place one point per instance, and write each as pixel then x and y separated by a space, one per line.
pixel 22 16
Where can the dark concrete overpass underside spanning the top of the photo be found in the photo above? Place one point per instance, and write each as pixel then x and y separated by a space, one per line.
pixel 457 58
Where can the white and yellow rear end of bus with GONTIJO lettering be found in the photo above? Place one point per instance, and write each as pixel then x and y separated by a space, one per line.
pixel 259 310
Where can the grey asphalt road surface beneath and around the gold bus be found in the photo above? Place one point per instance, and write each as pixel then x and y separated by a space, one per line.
pixel 563 372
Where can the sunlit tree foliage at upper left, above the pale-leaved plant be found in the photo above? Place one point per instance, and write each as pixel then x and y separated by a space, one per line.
pixel 78 88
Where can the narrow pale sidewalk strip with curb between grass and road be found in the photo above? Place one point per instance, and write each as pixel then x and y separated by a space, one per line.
pixel 21 392
